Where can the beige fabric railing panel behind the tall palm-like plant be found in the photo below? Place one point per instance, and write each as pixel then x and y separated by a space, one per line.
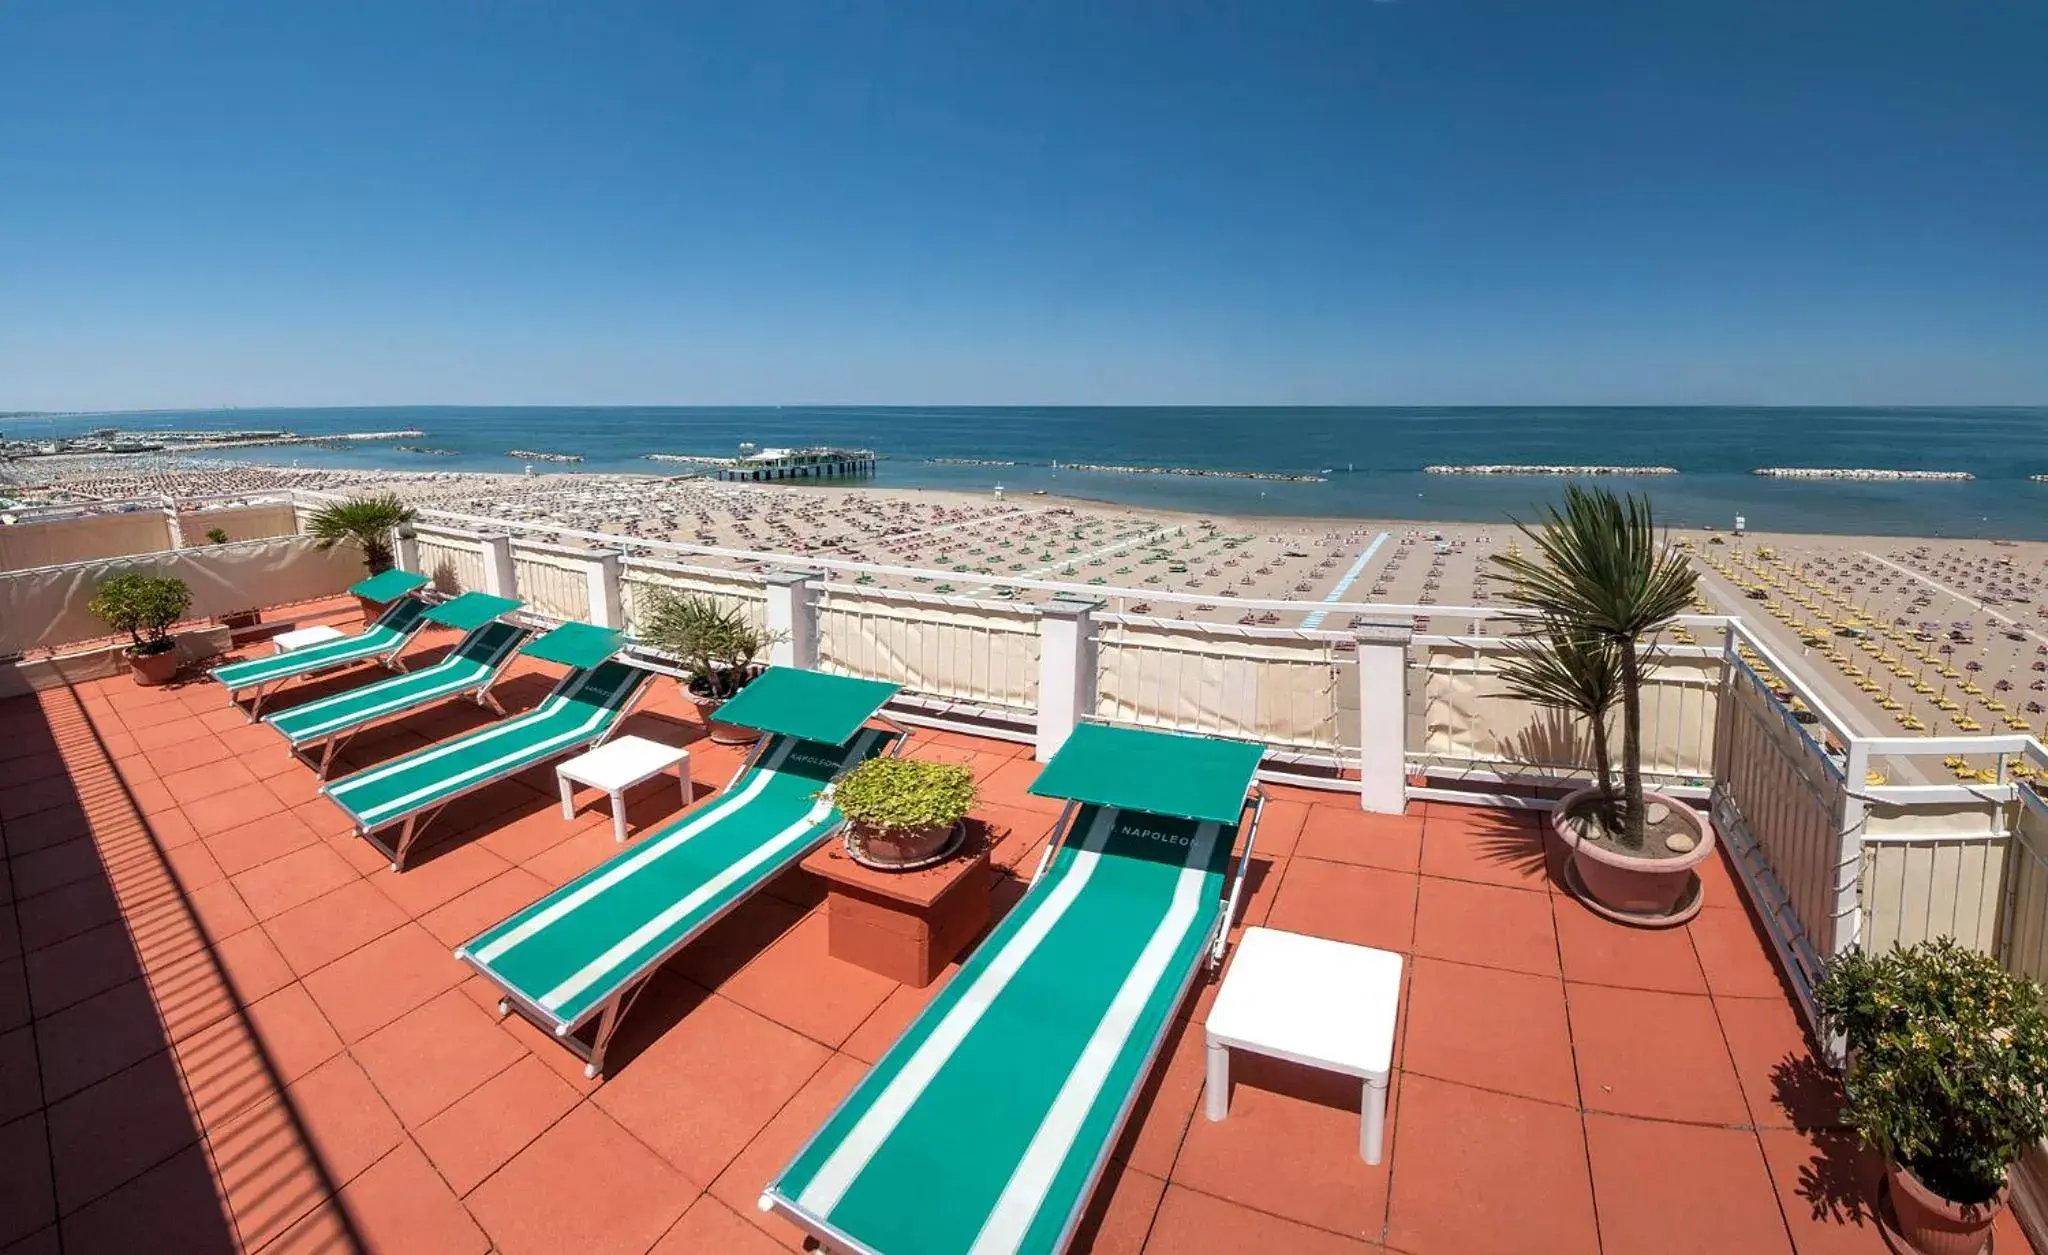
pixel 1471 718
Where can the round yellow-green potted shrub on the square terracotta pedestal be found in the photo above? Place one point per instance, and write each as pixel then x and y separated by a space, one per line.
pixel 904 814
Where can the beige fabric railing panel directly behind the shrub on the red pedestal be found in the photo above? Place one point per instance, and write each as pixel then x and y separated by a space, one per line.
pixel 972 652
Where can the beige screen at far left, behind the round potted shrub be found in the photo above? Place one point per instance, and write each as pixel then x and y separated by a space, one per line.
pixel 48 607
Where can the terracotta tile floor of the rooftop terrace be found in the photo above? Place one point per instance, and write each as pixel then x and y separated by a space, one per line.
pixel 224 1027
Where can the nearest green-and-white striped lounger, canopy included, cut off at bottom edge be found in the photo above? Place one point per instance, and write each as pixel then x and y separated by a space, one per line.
pixel 988 1125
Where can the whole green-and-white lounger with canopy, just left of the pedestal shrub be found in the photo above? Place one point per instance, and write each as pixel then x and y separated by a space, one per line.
pixel 585 951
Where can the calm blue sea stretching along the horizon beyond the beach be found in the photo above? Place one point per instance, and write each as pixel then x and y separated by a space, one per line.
pixel 1375 453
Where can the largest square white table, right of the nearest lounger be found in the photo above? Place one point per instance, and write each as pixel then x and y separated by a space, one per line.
pixel 1320 1004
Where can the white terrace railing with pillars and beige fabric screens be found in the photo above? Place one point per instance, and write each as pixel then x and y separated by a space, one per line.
pixel 1840 838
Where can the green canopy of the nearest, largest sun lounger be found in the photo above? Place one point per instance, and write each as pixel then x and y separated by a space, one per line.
pixel 1152 771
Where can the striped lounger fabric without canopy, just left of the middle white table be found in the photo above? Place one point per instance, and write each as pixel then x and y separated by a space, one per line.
pixel 581 711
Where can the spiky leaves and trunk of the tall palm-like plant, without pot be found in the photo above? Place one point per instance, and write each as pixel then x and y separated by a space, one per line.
pixel 1603 570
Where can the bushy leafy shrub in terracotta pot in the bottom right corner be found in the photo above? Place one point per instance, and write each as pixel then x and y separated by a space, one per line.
pixel 1949 1080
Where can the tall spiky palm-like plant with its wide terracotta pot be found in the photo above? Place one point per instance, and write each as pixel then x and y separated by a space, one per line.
pixel 1603 580
